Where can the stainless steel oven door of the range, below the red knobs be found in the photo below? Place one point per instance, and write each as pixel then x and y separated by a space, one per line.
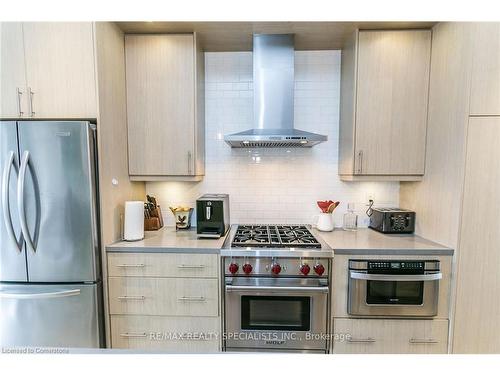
pixel 285 314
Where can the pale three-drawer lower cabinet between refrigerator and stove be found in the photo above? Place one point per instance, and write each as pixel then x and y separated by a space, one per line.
pixel 164 302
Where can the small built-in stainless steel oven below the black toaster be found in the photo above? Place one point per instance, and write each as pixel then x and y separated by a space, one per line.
pixel 394 288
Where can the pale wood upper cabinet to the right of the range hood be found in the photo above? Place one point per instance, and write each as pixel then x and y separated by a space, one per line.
pixel 383 111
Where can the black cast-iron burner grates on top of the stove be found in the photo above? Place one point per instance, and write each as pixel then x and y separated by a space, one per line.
pixel 274 236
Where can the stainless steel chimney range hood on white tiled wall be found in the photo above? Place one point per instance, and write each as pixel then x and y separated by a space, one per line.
pixel 273 82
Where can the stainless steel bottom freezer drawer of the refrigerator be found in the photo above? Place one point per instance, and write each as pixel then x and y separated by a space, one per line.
pixel 50 315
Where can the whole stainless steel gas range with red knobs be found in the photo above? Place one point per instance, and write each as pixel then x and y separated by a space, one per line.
pixel 276 282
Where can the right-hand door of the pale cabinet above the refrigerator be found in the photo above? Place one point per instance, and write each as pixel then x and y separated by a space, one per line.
pixel 60 69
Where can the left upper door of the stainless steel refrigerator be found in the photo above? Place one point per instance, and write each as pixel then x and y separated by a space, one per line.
pixel 12 253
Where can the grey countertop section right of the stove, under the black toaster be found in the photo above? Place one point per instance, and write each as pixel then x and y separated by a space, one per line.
pixel 370 242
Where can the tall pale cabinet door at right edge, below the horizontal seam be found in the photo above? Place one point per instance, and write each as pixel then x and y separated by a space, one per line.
pixel 477 316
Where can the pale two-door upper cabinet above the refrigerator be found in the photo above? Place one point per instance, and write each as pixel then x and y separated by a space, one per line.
pixel 48 70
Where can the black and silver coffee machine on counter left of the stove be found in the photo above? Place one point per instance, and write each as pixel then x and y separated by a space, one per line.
pixel 212 215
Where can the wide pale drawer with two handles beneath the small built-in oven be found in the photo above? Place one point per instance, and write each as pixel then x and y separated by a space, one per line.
pixel 384 336
